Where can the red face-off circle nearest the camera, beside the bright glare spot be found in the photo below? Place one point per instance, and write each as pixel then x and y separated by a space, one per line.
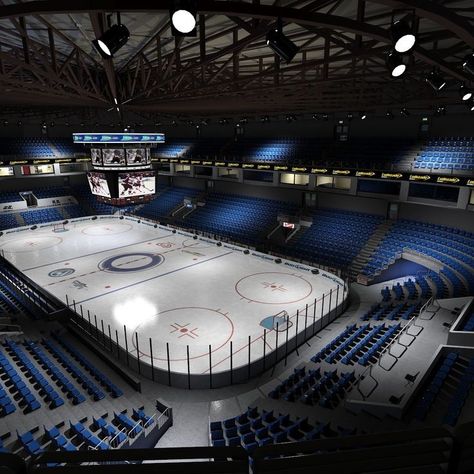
pixel 193 326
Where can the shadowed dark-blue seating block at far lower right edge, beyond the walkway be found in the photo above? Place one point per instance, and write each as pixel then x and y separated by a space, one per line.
pixel 447 388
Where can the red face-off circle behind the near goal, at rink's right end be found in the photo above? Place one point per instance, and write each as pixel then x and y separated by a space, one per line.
pixel 274 288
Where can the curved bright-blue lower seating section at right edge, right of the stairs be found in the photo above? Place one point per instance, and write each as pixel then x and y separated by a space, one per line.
pixel 452 248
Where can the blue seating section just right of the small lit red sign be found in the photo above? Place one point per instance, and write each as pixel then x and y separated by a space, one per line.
pixel 335 238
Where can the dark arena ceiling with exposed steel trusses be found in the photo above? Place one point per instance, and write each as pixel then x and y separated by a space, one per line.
pixel 47 58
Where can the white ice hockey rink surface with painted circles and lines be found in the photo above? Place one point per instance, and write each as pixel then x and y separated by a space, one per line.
pixel 182 293
